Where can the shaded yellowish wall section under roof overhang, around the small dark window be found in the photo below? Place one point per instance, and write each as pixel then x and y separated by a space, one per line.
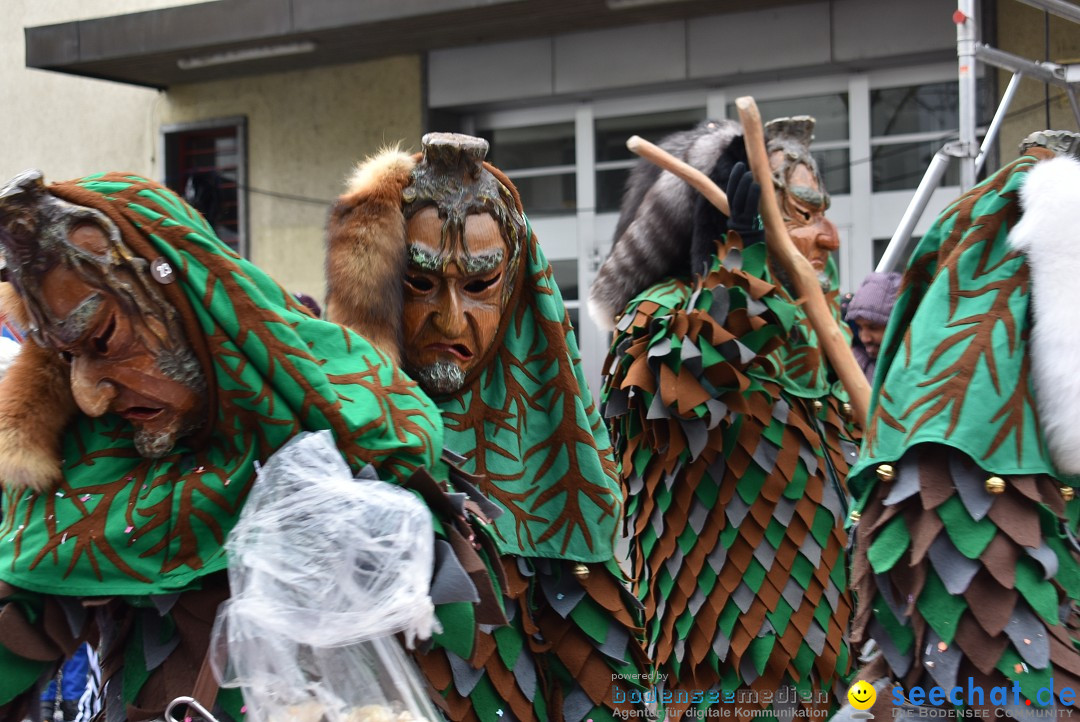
pixel 306 132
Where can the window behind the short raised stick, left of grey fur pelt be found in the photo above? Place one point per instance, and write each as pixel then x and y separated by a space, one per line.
pixel 614 161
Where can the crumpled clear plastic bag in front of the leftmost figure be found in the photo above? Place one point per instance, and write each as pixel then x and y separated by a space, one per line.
pixel 325 570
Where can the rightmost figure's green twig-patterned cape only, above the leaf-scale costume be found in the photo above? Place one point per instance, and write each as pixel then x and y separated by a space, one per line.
pixel 942 370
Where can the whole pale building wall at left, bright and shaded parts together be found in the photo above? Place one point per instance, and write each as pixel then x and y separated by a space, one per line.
pixel 305 130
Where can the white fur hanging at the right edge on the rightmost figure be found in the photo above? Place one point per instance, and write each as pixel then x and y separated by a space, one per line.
pixel 1049 236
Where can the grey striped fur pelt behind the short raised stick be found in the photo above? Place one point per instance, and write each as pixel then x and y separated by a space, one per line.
pixel 656 223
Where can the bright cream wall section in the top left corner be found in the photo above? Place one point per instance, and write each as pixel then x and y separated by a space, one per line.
pixel 65 126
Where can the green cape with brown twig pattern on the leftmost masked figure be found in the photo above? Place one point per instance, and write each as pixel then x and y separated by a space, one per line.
pixel 124 526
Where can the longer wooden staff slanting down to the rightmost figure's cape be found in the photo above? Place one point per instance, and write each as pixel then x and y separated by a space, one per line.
pixel 799 267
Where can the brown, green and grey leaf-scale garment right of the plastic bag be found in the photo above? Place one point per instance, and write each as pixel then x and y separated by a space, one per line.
pixel 524 638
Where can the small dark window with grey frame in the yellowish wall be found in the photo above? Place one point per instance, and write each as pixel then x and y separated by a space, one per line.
pixel 204 166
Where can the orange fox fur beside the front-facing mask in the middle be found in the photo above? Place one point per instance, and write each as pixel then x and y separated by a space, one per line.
pixel 366 256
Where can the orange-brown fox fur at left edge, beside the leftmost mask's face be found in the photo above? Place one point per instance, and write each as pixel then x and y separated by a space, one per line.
pixel 36 404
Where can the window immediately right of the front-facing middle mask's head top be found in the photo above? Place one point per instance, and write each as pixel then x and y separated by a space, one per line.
pixel 541 160
